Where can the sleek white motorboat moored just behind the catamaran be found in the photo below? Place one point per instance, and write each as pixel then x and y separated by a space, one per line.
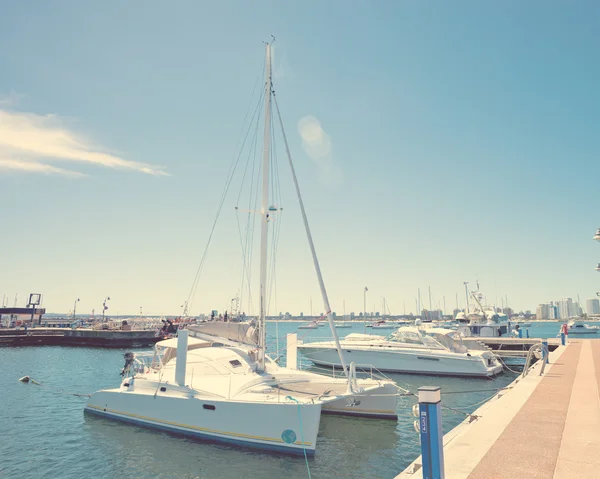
pixel 408 350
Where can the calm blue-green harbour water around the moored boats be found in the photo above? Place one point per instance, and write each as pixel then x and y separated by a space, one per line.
pixel 46 435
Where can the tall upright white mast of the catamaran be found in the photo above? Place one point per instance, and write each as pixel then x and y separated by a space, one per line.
pixel 264 210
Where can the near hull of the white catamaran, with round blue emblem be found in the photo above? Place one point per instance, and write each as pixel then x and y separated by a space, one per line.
pixel 273 427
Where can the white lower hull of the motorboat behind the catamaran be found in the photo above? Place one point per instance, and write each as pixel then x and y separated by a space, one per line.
pixel 401 362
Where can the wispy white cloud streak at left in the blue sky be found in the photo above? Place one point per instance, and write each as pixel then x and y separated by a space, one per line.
pixel 29 142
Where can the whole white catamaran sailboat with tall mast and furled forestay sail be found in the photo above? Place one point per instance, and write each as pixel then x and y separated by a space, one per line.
pixel 217 381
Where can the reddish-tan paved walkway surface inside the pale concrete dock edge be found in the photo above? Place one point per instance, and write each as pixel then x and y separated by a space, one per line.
pixel 556 433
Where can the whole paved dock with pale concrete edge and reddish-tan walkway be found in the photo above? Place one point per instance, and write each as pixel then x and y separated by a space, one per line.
pixel 543 426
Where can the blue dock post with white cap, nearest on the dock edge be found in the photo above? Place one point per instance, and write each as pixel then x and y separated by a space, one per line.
pixel 430 429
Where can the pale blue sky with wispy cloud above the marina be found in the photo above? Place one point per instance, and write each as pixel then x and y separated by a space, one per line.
pixel 435 143
